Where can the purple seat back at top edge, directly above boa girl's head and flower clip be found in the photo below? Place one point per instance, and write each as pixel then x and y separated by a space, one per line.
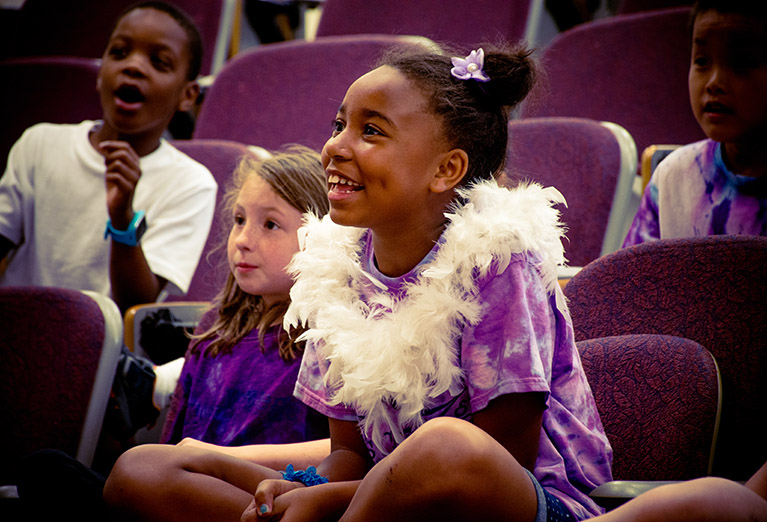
pixel 457 22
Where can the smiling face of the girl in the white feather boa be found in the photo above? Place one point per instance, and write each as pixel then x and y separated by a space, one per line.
pixel 385 150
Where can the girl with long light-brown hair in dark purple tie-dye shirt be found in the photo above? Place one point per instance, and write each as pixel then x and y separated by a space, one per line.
pixel 237 379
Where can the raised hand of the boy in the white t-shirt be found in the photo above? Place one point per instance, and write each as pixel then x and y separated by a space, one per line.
pixel 122 174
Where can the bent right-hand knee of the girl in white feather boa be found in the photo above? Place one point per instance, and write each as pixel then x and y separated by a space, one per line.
pixel 448 469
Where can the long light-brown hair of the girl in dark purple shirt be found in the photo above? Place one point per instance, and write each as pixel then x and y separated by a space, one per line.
pixel 297 176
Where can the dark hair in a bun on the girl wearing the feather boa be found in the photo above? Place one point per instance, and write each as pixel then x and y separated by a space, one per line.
pixel 475 114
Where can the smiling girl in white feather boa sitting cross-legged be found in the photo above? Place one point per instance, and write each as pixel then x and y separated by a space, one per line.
pixel 438 342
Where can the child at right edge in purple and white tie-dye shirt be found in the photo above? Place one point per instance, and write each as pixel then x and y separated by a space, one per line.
pixel 718 185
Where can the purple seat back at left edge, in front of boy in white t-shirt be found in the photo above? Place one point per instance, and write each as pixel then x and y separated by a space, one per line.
pixel 59 351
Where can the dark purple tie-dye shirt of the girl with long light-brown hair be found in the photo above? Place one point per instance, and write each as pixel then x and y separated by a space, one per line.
pixel 243 397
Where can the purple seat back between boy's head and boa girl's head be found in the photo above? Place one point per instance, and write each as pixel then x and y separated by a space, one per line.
pixel 288 92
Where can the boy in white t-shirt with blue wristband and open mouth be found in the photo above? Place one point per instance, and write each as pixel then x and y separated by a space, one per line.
pixel 109 205
